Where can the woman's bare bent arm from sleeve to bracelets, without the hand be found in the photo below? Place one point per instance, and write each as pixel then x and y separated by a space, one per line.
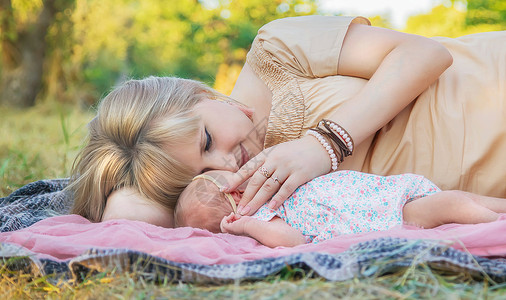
pixel 399 67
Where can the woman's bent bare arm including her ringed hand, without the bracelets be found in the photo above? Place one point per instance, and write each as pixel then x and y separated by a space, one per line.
pixel 399 67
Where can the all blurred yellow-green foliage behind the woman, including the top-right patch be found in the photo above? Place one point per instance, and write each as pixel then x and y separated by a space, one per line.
pixel 94 44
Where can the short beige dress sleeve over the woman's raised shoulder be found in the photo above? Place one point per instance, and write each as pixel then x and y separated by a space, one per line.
pixel 306 46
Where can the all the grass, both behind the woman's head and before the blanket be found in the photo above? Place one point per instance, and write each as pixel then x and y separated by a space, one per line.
pixel 42 142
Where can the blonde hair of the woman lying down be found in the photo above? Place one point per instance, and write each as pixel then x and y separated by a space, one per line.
pixel 128 141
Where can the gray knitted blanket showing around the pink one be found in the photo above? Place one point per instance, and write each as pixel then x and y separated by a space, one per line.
pixel 45 198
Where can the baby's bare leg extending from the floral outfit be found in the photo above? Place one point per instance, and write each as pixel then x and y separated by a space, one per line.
pixel 449 207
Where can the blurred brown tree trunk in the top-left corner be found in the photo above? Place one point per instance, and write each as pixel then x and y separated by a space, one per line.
pixel 23 55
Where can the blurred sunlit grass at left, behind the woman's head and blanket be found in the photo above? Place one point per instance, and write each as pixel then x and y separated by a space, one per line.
pixel 39 143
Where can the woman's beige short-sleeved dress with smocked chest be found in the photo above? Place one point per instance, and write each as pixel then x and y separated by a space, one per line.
pixel 454 133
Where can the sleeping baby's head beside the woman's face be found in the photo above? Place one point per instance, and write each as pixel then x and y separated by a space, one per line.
pixel 202 205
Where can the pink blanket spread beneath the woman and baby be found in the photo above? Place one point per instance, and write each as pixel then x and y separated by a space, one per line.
pixel 65 237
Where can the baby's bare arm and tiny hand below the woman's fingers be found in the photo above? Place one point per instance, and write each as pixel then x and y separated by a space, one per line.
pixel 273 233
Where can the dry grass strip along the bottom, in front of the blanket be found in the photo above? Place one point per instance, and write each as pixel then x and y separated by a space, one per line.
pixel 413 283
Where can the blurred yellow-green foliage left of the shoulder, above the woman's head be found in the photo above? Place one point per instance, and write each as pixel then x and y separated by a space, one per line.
pixel 118 39
